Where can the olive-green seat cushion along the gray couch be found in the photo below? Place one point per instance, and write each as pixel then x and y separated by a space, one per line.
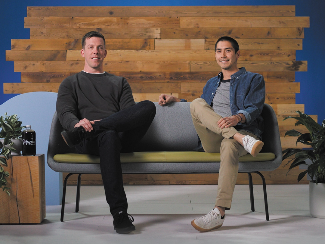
pixel 157 157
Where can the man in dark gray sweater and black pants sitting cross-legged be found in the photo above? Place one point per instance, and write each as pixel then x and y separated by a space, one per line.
pixel 100 117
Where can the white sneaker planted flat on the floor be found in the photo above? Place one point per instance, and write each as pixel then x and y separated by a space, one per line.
pixel 213 220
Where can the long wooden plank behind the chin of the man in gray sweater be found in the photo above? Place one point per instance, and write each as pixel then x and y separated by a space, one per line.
pixel 76 66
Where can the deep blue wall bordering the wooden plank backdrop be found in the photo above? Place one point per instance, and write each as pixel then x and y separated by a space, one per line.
pixel 311 82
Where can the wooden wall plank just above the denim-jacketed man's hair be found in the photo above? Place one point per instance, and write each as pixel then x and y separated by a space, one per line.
pixel 235 32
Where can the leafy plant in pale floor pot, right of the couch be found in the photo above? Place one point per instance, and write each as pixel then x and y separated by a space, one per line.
pixel 313 157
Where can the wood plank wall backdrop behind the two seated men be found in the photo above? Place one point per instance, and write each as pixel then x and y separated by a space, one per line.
pixel 167 50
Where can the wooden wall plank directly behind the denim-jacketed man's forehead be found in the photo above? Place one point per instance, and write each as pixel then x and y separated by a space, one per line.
pixel 254 44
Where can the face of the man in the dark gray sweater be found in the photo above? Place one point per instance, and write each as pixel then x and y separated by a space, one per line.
pixel 94 53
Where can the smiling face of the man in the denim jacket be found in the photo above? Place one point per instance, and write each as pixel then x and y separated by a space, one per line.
pixel 226 56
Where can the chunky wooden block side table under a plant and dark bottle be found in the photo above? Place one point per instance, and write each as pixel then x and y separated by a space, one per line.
pixel 26 203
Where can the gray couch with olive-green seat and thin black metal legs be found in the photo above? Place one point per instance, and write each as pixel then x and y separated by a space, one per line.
pixel 167 148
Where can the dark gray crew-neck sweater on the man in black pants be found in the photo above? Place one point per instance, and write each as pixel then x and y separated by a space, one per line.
pixel 91 96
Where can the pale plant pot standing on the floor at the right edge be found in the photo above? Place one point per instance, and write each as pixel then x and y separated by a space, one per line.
pixel 317 199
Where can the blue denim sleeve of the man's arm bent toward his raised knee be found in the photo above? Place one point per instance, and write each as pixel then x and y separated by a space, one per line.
pixel 254 100
